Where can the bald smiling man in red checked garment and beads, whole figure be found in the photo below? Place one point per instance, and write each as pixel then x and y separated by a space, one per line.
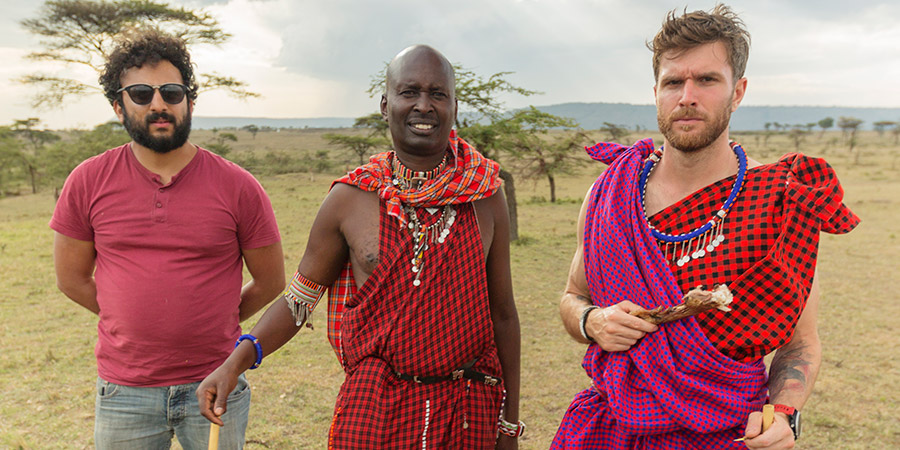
pixel 415 247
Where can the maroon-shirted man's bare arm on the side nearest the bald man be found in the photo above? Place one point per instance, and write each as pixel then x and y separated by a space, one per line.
pixel 266 266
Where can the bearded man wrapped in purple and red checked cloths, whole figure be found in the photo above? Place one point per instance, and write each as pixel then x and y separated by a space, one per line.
pixel 697 211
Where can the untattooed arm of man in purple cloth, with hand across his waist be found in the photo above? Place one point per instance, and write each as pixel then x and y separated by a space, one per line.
pixel 611 327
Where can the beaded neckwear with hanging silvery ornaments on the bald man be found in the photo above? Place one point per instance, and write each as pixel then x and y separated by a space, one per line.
pixel 423 235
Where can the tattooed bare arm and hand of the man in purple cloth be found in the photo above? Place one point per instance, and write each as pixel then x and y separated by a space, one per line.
pixel 792 375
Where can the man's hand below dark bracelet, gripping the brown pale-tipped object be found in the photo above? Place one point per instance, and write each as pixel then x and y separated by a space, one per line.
pixel 614 329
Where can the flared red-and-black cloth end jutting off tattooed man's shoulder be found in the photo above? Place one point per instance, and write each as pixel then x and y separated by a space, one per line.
pixel 813 185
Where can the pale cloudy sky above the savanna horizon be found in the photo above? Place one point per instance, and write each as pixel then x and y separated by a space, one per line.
pixel 313 58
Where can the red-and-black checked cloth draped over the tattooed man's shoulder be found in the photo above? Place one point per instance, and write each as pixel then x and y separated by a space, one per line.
pixel 768 258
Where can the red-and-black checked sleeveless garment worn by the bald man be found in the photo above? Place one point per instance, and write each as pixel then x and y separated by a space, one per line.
pixel 389 325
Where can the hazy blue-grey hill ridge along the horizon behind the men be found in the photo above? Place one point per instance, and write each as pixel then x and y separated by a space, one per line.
pixel 592 115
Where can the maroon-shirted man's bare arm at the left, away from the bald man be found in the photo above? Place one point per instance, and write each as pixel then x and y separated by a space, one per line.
pixel 74 261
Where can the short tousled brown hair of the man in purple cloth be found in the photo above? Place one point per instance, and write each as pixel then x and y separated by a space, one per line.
pixel 700 27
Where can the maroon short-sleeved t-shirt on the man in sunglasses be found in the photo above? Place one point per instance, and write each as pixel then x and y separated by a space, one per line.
pixel 168 263
